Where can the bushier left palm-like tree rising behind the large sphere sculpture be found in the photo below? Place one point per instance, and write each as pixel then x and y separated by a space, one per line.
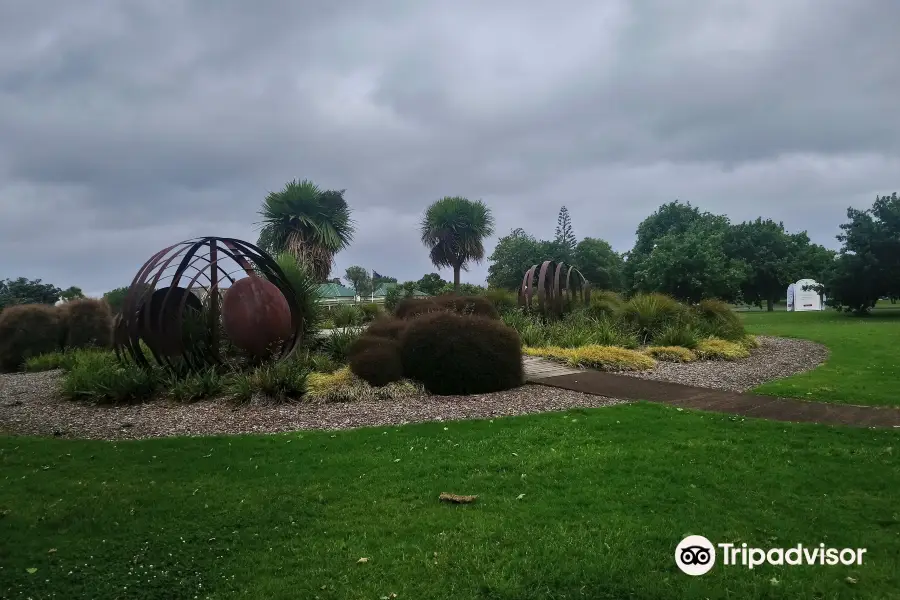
pixel 307 222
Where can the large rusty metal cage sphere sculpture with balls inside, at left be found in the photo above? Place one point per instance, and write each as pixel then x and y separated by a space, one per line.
pixel 190 297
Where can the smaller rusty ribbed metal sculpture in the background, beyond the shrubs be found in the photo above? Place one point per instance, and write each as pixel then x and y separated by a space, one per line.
pixel 556 288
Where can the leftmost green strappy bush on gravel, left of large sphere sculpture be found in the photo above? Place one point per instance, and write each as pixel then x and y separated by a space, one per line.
pixel 99 377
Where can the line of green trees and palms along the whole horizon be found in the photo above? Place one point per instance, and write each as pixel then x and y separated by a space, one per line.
pixel 679 250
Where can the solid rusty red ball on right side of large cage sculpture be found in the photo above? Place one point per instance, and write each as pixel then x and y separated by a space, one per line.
pixel 256 316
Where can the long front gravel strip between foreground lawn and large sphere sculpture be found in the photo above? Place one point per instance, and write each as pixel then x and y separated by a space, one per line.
pixel 29 404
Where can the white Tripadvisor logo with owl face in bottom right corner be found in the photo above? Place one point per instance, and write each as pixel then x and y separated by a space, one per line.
pixel 696 555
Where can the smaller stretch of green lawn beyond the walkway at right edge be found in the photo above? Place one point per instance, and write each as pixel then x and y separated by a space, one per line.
pixel 864 365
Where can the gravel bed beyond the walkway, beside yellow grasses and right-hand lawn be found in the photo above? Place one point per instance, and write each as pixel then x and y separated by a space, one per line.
pixel 774 359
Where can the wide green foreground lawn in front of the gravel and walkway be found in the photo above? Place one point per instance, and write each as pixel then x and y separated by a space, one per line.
pixel 584 504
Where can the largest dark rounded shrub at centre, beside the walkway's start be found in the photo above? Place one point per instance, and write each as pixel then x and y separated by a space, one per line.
pixel 454 354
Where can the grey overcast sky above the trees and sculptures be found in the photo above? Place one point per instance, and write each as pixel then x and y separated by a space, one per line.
pixel 128 126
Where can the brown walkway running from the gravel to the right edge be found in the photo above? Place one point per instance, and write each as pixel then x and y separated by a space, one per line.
pixel 723 401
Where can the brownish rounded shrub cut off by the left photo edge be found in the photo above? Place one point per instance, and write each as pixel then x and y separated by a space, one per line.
pixel 28 330
